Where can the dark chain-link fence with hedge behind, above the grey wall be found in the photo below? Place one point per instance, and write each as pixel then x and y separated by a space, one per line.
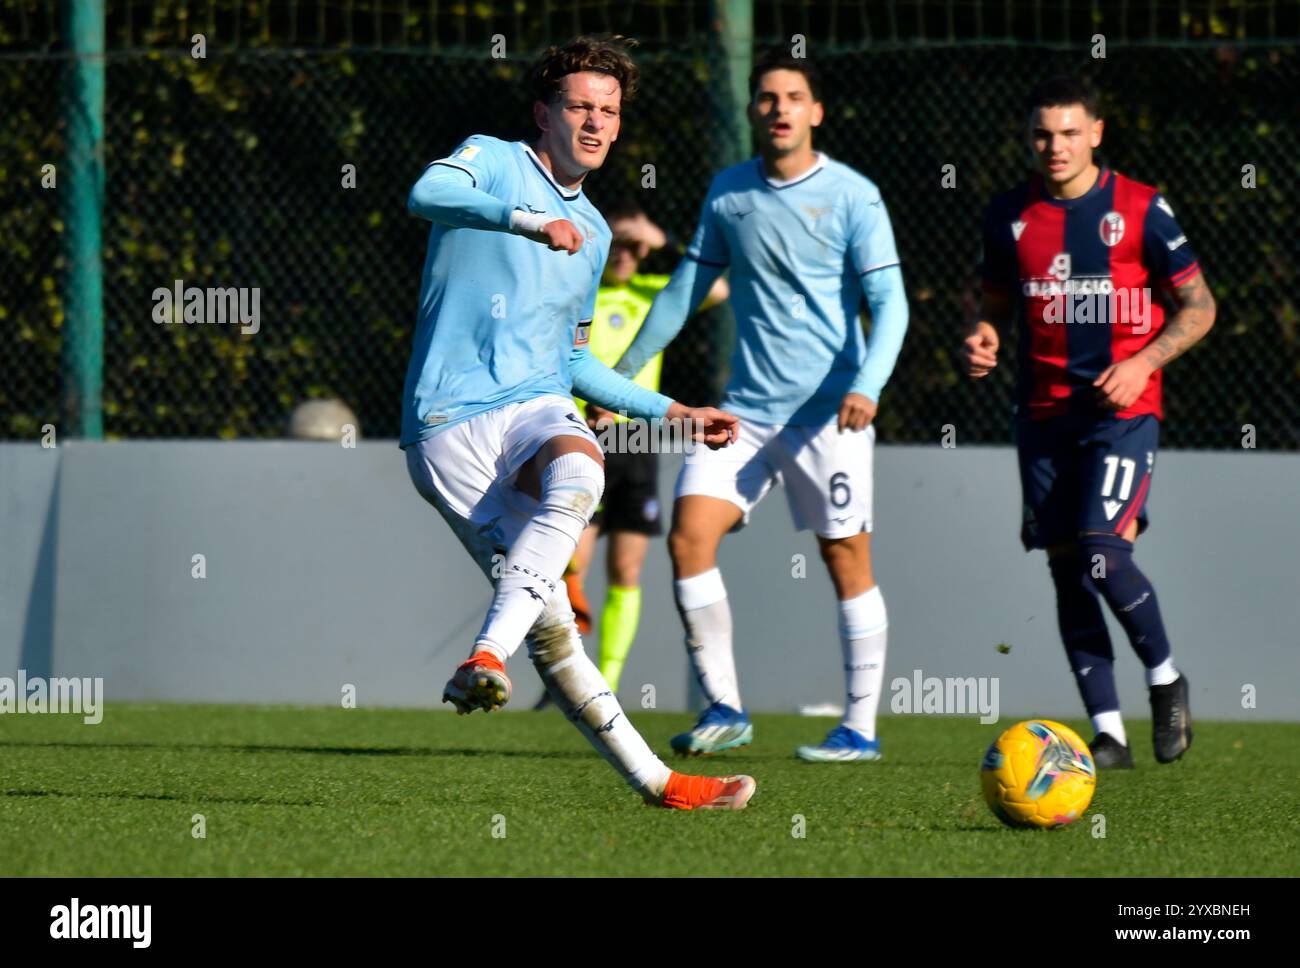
pixel 232 172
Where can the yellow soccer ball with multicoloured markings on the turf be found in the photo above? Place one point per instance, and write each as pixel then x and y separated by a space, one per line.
pixel 1039 774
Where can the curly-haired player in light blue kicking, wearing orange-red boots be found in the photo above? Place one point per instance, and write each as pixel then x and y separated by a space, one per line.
pixel 492 436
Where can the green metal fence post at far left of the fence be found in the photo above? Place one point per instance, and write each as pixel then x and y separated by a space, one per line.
pixel 84 181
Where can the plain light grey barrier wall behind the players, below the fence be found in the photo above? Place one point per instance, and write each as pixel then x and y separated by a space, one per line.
pixel 323 568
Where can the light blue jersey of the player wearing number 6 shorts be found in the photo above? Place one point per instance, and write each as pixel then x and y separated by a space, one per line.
pixel 801 255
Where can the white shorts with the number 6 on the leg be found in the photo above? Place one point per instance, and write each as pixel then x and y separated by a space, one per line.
pixel 827 475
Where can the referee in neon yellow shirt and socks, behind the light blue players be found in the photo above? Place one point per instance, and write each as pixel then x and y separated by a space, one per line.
pixel 630 511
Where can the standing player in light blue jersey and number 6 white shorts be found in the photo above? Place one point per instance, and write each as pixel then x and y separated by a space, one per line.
pixel 805 238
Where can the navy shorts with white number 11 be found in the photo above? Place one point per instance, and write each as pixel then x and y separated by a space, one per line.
pixel 1081 475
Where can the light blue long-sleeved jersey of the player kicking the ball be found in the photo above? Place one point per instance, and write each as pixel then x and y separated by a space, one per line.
pixel 505 319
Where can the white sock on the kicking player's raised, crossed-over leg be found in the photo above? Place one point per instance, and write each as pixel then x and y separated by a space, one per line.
pixel 571 489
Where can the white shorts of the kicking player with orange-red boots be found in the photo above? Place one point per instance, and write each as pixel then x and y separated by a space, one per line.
pixel 469 471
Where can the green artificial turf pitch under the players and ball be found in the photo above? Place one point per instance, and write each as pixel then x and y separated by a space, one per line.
pixel 402 792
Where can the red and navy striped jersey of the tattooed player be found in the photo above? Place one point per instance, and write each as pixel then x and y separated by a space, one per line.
pixel 1087 272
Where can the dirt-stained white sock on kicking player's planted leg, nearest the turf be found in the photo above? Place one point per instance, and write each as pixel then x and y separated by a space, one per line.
pixel 580 692
